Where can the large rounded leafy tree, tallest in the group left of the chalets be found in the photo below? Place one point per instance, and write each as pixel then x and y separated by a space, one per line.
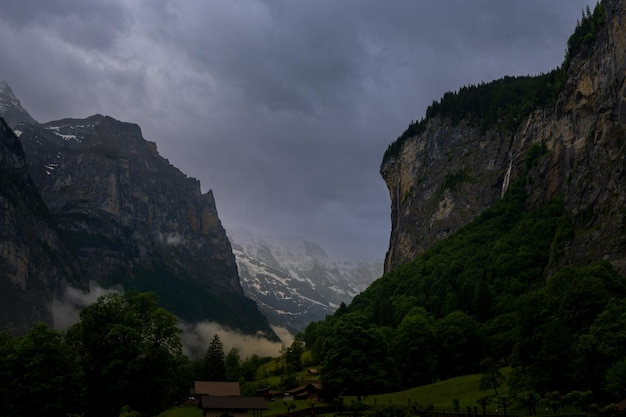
pixel 130 351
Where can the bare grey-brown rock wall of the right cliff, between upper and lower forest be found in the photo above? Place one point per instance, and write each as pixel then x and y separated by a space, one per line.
pixel 445 176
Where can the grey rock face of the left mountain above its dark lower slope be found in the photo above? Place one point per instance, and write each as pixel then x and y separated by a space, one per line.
pixel 108 186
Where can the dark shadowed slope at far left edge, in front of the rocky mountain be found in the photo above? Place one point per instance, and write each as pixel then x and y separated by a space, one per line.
pixel 35 263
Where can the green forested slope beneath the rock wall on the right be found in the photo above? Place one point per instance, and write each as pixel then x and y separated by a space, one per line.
pixel 489 293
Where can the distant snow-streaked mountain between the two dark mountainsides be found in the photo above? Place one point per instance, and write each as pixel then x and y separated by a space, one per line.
pixel 293 281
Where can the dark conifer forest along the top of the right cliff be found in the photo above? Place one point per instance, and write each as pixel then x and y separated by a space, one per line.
pixel 506 102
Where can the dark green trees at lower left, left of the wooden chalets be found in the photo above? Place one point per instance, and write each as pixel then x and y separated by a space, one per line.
pixel 124 357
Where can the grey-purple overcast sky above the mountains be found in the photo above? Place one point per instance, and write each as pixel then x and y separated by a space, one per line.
pixel 283 108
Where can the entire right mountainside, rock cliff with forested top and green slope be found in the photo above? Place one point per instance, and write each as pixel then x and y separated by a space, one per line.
pixel 509 238
